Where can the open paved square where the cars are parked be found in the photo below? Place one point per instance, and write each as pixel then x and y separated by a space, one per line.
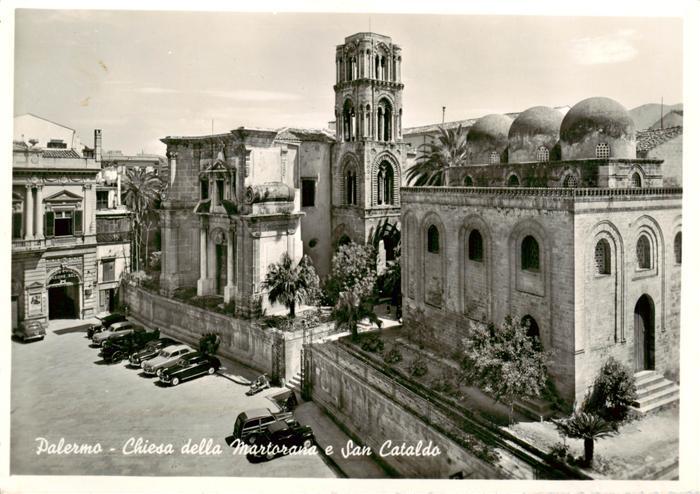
pixel 61 389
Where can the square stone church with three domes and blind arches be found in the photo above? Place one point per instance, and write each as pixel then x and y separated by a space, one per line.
pixel 559 224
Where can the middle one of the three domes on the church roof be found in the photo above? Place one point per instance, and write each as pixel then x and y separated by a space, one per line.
pixel 533 129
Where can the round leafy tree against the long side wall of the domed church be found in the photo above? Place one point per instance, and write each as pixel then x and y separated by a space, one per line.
pixel 505 362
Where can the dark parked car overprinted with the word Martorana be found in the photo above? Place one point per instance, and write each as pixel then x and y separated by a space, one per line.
pixel 281 438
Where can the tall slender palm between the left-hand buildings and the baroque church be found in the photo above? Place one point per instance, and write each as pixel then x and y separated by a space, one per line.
pixel 142 191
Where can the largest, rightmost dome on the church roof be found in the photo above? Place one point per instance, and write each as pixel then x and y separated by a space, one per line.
pixel 597 121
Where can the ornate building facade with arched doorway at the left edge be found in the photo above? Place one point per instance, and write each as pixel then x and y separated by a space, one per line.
pixel 54 247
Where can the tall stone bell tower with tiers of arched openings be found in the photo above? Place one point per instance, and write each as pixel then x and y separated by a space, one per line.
pixel 369 156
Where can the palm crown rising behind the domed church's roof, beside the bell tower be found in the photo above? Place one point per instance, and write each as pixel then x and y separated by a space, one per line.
pixel 449 150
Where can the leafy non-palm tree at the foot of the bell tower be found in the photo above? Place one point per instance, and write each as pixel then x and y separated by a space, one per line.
pixel 353 268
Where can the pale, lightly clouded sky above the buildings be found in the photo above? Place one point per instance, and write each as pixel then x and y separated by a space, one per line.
pixel 141 76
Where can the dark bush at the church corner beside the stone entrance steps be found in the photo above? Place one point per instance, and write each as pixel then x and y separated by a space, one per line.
pixel 612 394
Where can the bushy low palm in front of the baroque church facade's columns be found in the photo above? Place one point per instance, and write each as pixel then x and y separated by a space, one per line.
pixel 289 284
